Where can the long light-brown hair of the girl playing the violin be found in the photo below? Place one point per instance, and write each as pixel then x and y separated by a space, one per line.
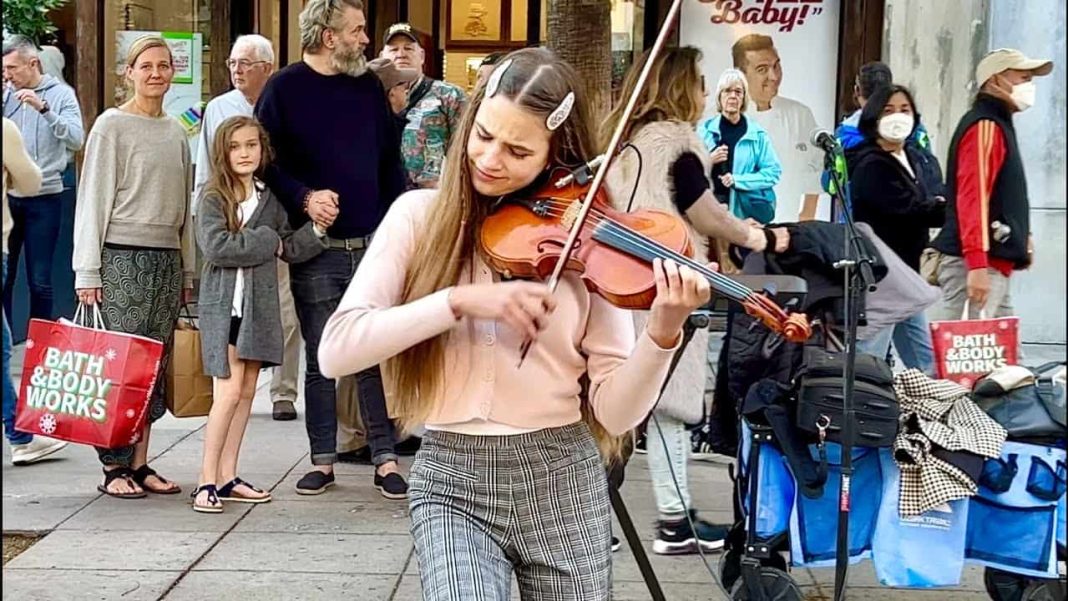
pixel 538 81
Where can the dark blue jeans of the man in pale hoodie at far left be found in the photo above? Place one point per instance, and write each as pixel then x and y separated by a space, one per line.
pixel 37 229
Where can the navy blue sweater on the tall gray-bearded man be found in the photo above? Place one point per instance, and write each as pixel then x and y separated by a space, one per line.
pixel 333 133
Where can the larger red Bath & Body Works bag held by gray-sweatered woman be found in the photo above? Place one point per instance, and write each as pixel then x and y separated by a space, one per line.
pixel 86 385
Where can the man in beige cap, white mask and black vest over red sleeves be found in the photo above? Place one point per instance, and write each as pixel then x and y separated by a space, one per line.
pixel 987 232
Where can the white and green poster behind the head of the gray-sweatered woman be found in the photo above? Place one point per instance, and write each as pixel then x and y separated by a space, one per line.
pixel 183 101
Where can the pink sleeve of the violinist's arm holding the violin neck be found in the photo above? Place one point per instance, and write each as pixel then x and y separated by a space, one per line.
pixel 625 376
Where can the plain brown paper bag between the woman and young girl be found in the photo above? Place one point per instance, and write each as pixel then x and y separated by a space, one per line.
pixel 189 389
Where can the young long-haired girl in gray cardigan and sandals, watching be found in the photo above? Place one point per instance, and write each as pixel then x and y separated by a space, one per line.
pixel 242 229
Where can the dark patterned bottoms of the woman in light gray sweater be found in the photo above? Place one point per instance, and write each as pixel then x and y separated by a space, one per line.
pixel 143 293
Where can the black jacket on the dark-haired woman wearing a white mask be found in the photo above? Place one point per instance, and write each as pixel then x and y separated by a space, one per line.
pixel 896 204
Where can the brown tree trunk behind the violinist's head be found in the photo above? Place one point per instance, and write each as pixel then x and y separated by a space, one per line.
pixel 580 33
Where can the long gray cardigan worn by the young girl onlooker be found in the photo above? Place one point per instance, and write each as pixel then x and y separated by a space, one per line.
pixel 254 248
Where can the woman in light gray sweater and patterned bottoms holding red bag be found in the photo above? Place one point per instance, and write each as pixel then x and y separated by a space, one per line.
pixel 133 243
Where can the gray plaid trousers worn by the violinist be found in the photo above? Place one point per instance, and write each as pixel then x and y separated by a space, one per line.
pixel 535 504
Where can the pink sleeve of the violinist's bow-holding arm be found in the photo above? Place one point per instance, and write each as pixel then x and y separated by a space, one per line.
pixel 370 326
